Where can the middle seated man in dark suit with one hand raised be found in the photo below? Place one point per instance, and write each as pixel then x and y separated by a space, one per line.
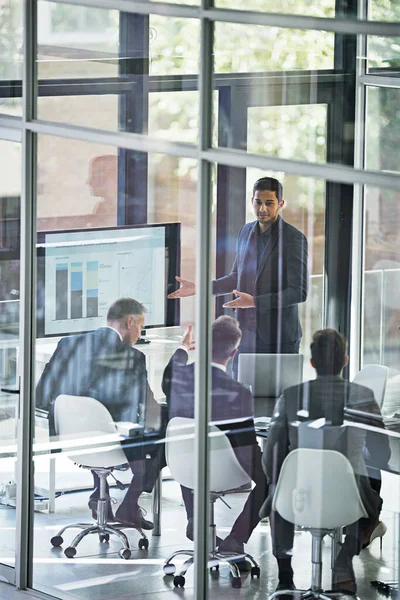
pixel 231 402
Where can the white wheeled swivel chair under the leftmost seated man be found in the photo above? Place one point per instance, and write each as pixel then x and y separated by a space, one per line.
pixel 79 417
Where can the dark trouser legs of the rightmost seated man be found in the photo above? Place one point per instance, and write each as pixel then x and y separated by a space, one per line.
pixel 282 532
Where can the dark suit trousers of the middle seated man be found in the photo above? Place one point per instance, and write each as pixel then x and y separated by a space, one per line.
pixel 248 518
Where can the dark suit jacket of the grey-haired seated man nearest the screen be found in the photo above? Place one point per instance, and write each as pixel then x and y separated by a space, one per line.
pixel 99 365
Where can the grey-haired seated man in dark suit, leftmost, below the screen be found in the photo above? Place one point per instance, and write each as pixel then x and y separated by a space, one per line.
pixel 103 364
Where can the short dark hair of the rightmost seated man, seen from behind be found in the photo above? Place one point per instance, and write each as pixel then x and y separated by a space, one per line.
pixel 328 351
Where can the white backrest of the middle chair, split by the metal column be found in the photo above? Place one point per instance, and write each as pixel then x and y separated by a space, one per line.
pixel 225 471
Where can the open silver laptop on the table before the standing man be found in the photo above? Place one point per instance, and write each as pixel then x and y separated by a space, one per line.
pixel 268 375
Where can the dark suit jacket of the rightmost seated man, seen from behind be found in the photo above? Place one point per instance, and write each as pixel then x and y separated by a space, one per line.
pixel 326 397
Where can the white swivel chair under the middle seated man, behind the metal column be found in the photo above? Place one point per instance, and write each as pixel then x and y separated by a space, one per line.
pixel 226 475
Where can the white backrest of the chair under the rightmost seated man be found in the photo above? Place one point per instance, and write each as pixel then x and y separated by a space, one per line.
pixel 317 490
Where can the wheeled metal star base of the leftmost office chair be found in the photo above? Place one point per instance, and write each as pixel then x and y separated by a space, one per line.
pixel 104 532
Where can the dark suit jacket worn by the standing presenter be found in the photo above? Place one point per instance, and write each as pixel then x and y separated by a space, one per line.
pixel 279 283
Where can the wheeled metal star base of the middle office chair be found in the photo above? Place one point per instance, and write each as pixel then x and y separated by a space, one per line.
pixel 215 559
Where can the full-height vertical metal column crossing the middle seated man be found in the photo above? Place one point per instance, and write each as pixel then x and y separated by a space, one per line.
pixel 203 312
